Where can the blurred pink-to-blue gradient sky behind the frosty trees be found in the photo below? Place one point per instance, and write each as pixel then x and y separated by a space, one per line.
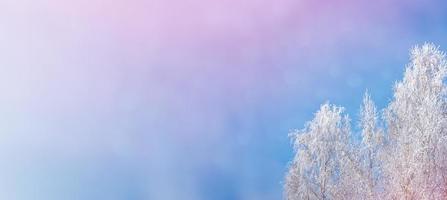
pixel 185 99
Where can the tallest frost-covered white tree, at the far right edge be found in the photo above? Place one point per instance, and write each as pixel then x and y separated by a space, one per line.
pixel 416 123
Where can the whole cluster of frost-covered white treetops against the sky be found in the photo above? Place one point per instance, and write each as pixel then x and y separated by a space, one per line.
pixel 402 153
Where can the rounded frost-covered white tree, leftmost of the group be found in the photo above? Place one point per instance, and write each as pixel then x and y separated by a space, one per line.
pixel 317 170
